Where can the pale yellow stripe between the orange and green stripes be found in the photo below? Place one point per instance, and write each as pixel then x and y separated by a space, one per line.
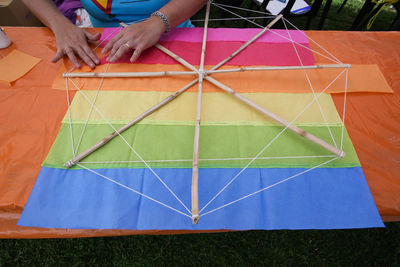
pixel 218 108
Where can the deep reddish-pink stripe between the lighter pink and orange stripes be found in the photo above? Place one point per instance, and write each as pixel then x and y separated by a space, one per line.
pixel 276 54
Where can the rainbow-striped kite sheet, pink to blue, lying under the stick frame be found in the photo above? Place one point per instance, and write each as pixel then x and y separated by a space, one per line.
pixel 253 172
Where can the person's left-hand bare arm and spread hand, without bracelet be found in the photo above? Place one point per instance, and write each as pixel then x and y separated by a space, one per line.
pixel 71 40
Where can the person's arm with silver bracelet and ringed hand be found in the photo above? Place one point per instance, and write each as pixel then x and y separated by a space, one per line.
pixel 145 34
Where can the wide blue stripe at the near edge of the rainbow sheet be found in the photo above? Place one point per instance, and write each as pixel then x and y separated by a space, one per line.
pixel 323 198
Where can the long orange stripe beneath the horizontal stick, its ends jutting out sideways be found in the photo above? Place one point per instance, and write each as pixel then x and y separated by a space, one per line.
pixel 362 78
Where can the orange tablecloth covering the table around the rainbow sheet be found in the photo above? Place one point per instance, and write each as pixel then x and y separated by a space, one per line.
pixel 29 109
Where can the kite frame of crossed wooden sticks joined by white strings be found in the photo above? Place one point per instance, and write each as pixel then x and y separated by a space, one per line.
pixel 205 75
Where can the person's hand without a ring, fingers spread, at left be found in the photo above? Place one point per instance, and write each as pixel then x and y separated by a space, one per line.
pixel 74 42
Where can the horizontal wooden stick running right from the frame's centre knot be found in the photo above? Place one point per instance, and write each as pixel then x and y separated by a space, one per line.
pixel 242 69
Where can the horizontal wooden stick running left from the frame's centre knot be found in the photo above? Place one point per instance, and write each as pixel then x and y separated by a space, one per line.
pixel 126 74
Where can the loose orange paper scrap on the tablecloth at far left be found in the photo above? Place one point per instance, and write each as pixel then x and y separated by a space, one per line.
pixel 15 65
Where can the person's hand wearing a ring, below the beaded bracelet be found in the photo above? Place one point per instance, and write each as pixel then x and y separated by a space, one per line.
pixel 137 37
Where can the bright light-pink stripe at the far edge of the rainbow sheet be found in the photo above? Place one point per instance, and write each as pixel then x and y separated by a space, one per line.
pixel 195 35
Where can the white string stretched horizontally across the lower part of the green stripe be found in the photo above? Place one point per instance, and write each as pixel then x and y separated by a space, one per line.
pixel 190 160
